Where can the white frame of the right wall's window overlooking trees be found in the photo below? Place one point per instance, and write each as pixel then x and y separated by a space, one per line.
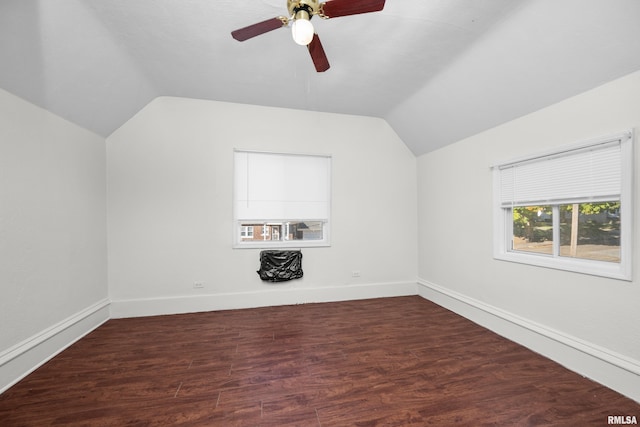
pixel 503 218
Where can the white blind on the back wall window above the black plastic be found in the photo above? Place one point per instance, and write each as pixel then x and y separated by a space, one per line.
pixel 276 186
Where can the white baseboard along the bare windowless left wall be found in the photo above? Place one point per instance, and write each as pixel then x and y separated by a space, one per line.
pixel 23 358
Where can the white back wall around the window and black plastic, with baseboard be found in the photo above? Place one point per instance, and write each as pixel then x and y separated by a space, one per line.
pixel 170 208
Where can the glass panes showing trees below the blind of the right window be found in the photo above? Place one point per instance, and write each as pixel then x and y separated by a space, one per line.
pixel 585 230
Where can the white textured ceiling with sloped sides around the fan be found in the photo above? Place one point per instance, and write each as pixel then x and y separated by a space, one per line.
pixel 436 70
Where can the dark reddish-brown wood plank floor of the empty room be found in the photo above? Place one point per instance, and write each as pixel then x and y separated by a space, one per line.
pixel 380 362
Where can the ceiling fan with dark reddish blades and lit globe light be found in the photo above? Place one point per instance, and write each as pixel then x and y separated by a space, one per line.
pixel 300 14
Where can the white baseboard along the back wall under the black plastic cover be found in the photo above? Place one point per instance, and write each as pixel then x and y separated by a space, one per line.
pixel 271 296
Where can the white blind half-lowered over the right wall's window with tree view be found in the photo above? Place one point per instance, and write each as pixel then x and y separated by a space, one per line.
pixel 586 173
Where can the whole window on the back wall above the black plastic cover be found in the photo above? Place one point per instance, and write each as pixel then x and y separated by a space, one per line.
pixel 281 200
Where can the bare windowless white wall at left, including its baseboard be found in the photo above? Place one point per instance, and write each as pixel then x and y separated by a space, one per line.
pixel 53 276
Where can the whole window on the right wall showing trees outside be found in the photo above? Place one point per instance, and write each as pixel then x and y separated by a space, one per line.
pixel 569 209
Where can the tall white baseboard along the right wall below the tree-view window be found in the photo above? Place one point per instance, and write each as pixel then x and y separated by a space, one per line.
pixel 616 371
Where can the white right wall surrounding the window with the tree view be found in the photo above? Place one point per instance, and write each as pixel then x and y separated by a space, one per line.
pixel 597 315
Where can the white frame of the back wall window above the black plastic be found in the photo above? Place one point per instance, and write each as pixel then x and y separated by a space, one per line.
pixel 283 222
